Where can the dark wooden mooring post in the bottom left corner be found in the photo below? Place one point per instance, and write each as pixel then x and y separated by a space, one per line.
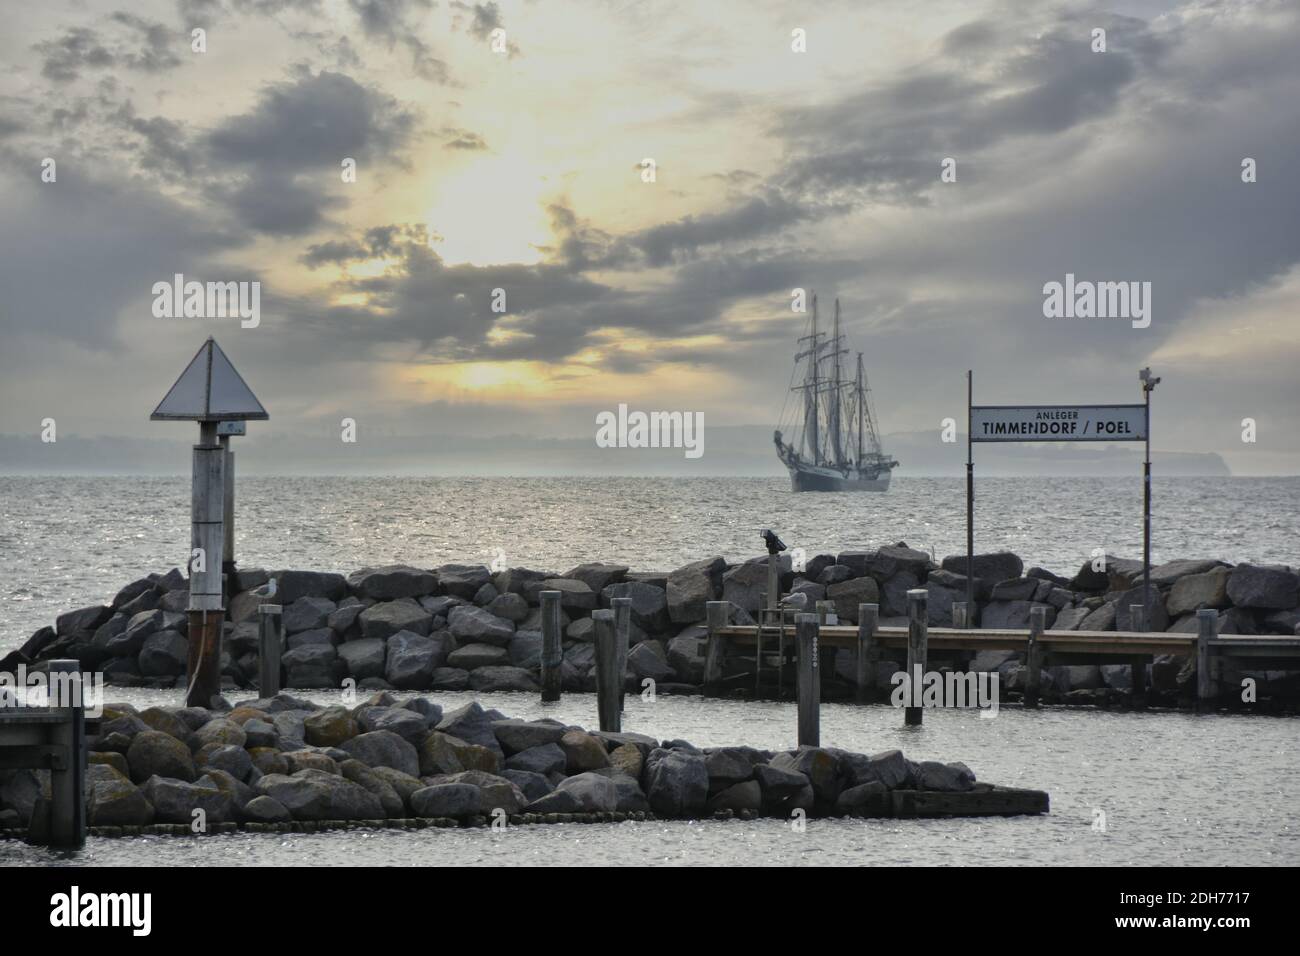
pixel 68 769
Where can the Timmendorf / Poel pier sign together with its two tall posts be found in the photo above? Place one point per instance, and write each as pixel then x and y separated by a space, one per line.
pixel 1024 423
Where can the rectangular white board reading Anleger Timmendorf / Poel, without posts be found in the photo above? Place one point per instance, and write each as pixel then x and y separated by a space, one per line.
pixel 1059 423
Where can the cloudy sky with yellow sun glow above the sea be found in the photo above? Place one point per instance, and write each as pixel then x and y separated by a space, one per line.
pixel 480 170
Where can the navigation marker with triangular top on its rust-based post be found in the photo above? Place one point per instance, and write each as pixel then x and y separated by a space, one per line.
pixel 210 392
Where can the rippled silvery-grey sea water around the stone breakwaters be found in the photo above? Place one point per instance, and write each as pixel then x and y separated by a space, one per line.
pixel 1175 789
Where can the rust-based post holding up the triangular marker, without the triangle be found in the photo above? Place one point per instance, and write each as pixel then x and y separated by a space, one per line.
pixel 207 611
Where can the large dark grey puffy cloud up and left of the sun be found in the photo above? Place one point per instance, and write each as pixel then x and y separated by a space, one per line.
pixel 288 152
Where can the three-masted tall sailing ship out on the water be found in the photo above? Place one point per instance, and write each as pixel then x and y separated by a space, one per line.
pixel 834 444
